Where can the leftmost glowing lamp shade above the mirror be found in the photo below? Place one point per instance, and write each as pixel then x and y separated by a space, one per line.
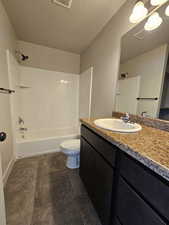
pixel 138 13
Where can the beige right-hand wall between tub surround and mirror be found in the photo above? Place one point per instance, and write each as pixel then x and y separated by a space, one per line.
pixel 103 55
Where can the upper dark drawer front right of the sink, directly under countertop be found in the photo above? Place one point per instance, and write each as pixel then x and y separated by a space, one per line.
pixel 154 190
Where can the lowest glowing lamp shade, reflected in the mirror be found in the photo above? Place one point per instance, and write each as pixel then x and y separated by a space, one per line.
pixel 153 22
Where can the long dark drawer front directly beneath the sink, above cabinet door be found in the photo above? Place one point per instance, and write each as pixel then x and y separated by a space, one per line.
pixel 103 147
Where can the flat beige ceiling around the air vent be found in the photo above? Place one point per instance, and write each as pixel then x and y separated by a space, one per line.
pixel 44 23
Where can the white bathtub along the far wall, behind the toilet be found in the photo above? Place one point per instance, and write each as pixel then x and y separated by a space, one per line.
pixel 43 142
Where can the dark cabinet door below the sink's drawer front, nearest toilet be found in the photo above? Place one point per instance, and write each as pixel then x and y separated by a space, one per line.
pixel 97 176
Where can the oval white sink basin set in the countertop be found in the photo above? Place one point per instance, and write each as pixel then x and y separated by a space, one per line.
pixel 117 125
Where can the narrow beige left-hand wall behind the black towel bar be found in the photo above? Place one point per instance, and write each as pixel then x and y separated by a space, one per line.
pixel 7 41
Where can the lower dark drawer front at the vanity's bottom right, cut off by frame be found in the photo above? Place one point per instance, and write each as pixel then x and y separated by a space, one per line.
pixel 132 210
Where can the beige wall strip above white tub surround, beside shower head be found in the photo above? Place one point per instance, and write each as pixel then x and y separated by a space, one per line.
pixel 49 58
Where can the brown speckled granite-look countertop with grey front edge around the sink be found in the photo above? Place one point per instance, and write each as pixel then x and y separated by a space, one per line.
pixel 150 146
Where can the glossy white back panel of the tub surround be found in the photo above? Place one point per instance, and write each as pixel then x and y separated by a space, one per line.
pixel 48 104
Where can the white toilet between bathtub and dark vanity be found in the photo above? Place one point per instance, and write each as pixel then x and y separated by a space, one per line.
pixel 71 149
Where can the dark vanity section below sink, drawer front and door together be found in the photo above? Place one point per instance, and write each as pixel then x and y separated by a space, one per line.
pixel 97 172
